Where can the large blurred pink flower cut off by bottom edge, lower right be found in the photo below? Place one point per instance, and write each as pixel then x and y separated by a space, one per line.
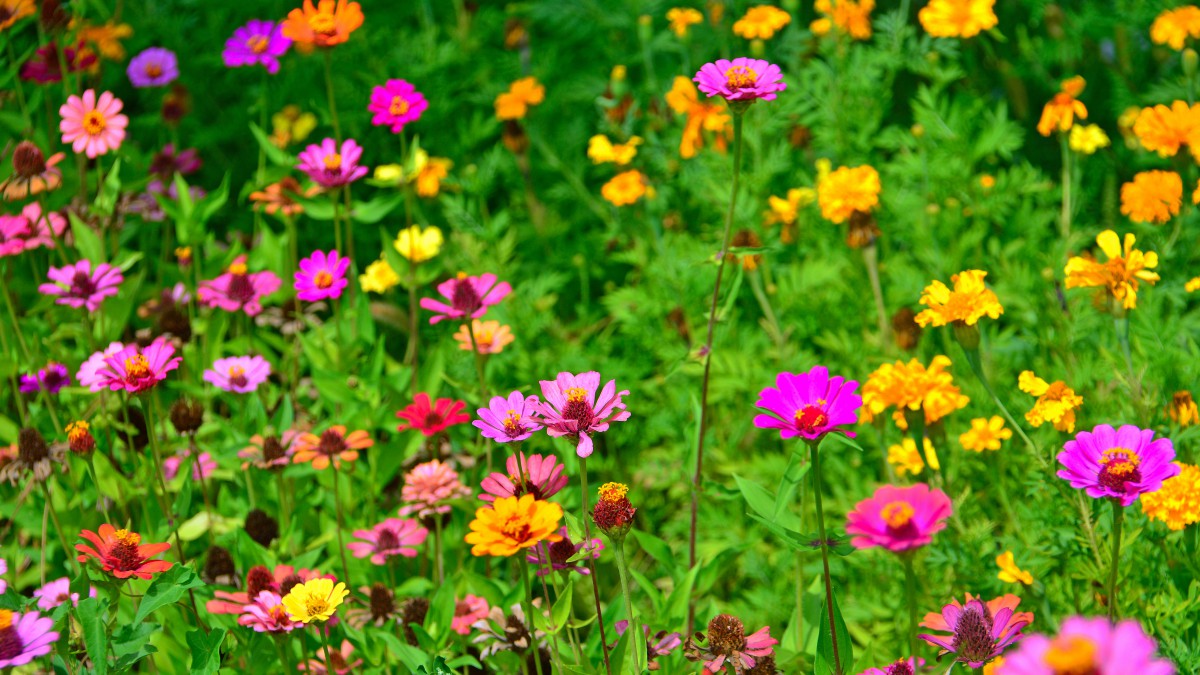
pixel 1089 646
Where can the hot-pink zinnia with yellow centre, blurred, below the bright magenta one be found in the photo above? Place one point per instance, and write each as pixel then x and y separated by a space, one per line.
pixel 899 519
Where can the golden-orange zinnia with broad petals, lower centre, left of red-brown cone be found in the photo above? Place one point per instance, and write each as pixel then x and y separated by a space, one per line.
pixel 513 524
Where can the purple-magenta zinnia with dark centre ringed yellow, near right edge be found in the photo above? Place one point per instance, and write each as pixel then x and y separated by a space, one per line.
pixel 1119 464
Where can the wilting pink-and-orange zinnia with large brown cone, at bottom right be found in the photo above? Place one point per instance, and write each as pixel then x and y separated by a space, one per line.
pixel 980 631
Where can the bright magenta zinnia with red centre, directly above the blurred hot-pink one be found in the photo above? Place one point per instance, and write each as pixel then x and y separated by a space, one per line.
pixel 809 405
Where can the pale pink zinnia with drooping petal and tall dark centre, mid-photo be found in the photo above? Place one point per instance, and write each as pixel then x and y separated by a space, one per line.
pixel 573 409
